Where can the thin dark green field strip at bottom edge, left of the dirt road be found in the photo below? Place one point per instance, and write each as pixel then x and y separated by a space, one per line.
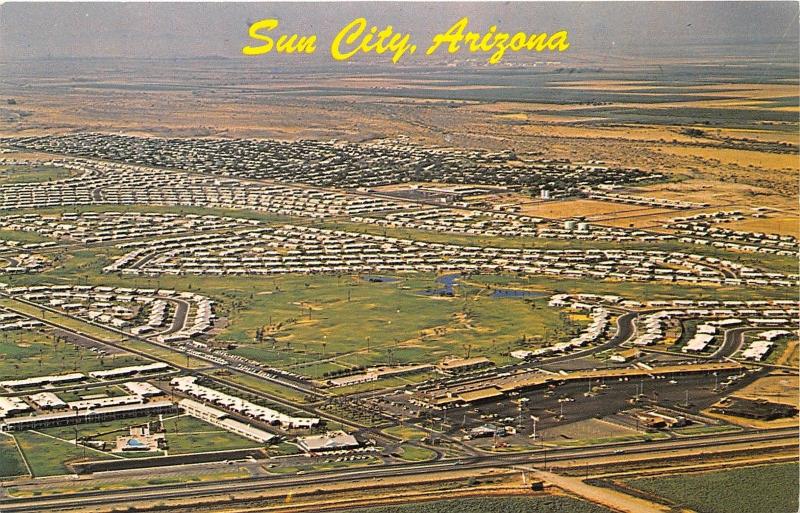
pixel 537 504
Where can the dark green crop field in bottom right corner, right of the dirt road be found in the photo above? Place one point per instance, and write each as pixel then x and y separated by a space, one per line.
pixel 766 488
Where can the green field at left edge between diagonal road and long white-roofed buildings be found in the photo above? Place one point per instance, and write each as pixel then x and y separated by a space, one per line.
pixel 25 354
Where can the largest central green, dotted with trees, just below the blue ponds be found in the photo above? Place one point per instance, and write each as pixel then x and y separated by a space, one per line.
pixel 311 320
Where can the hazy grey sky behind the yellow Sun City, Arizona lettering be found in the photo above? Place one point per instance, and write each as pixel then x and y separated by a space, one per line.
pixel 192 30
